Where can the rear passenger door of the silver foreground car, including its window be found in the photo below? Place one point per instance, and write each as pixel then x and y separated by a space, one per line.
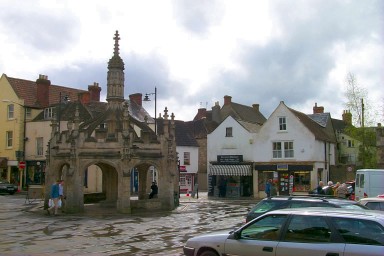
pixel 308 235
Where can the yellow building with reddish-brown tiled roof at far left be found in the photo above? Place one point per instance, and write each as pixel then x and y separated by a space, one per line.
pixel 21 101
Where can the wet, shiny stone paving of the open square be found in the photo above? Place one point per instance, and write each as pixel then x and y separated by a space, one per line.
pixel 26 229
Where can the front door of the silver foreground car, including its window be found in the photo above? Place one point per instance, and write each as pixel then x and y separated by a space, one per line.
pixel 260 237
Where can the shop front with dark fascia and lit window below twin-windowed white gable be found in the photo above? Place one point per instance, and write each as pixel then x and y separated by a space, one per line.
pixel 288 178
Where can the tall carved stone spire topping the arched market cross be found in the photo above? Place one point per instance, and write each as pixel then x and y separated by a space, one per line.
pixel 115 77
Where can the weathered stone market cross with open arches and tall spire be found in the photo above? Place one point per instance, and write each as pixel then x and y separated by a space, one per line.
pixel 117 143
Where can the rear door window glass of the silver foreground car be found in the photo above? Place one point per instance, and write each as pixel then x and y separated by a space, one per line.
pixel 308 229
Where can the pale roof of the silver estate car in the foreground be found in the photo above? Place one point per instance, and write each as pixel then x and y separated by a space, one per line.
pixel 325 211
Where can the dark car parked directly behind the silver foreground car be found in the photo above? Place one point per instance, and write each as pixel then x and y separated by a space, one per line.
pixel 281 202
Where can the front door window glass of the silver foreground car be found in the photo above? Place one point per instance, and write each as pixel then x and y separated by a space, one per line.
pixel 267 228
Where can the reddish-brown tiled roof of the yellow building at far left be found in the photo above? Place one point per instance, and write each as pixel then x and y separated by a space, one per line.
pixel 26 90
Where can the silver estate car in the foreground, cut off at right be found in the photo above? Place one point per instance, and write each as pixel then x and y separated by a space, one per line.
pixel 306 231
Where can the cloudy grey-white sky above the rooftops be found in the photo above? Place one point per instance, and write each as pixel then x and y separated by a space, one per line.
pixel 196 52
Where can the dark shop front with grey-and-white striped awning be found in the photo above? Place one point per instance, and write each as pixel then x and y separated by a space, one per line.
pixel 230 177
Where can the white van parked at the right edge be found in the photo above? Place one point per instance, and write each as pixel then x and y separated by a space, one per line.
pixel 369 183
